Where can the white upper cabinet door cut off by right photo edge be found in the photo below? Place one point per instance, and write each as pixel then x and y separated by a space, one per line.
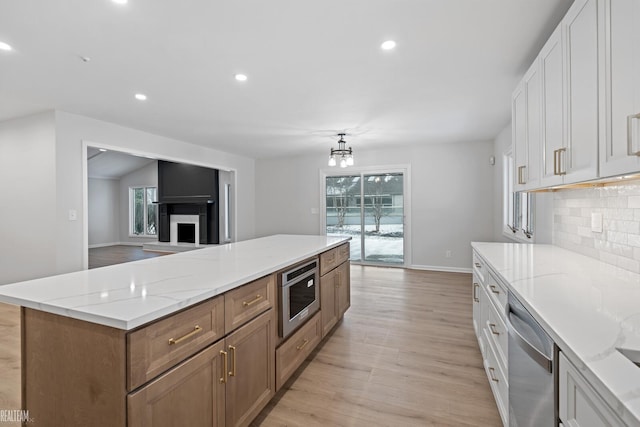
pixel 619 150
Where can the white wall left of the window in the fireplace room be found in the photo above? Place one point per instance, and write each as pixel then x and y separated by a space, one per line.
pixel 104 208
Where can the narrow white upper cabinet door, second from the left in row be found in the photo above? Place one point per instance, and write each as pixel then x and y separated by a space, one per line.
pixel 533 90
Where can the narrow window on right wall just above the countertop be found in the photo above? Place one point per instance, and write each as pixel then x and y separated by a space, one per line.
pixel 518 214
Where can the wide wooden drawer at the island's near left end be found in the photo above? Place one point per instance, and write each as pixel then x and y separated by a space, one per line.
pixel 159 346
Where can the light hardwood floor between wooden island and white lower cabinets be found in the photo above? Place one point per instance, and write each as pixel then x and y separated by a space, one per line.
pixel 404 355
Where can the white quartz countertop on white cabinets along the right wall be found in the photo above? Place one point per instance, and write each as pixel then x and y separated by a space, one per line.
pixel 588 307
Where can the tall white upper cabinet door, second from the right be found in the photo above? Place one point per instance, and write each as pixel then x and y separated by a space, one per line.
pixel 580 160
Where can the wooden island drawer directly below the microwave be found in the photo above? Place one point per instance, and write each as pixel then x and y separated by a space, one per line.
pixel 291 354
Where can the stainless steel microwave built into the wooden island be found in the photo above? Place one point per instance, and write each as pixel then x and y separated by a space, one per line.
pixel 299 296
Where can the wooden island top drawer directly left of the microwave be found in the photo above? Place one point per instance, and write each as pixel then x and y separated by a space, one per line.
pixel 246 302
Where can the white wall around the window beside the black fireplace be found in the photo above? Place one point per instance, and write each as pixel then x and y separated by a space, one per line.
pixel 146 176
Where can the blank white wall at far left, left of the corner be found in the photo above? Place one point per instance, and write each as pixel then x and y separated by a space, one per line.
pixel 28 190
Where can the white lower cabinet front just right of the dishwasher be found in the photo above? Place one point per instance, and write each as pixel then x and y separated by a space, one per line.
pixel 579 404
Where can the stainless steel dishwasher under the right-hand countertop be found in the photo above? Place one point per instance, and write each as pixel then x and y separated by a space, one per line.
pixel 531 370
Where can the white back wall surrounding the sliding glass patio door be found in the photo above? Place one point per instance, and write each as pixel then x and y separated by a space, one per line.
pixel 451 192
